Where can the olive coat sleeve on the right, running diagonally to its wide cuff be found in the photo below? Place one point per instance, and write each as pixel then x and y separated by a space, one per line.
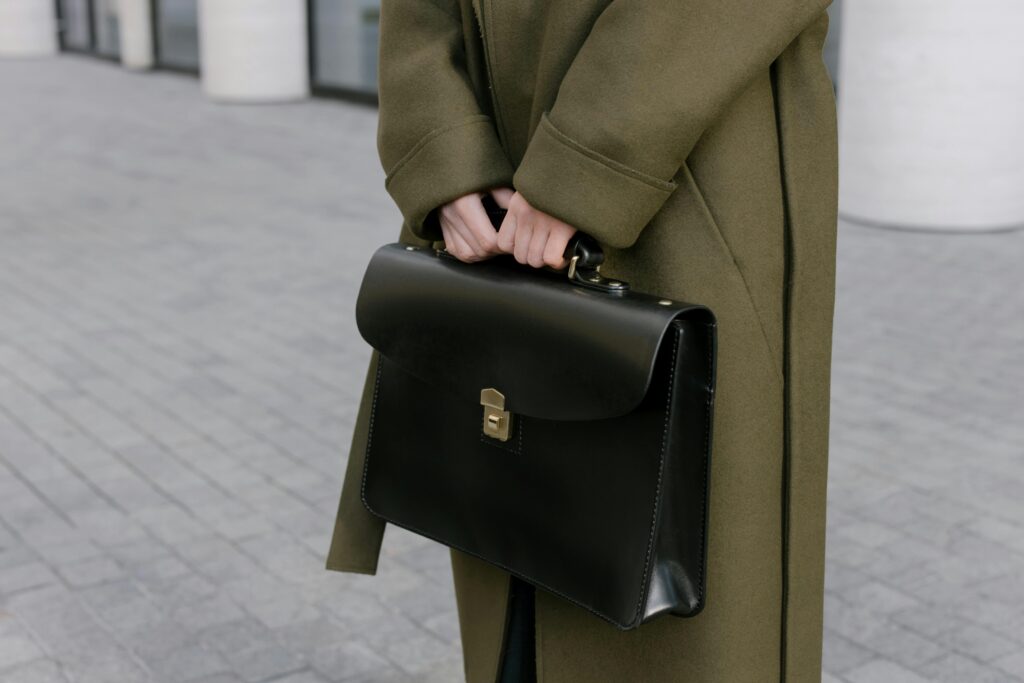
pixel 650 79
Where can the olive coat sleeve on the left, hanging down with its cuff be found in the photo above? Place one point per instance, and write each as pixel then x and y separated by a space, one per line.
pixel 435 141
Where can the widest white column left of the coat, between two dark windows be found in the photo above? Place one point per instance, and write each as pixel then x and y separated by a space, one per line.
pixel 254 51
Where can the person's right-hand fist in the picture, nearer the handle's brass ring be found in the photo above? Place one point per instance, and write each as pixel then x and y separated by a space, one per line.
pixel 532 236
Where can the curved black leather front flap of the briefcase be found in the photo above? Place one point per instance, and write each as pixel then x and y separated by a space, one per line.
pixel 556 350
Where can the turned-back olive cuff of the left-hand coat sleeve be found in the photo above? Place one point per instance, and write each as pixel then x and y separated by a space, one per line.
pixel 445 165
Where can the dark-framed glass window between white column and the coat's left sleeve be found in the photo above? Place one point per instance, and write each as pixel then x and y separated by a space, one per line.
pixel 345 45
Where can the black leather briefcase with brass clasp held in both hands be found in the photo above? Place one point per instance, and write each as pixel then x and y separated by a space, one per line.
pixel 559 428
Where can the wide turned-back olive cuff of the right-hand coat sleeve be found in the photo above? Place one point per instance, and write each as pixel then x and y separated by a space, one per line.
pixel 608 200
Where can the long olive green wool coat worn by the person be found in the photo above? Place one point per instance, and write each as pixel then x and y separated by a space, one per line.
pixel 696 140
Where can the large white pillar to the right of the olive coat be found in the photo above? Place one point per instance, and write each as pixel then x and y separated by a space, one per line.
pixel 931 110
